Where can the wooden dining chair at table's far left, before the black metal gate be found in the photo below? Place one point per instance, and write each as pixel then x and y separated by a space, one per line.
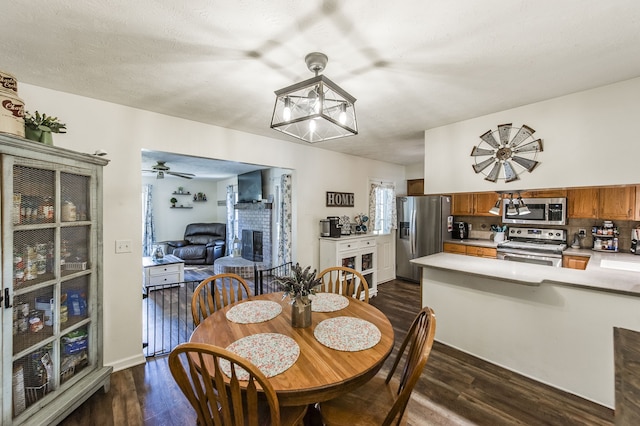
pixel 215 293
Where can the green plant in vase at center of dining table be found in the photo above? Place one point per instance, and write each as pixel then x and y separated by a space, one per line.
pixel 299 285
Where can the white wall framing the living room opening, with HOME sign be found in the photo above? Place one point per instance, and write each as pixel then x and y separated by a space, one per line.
pixel 124 131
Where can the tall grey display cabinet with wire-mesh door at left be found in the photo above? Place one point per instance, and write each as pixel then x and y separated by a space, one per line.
pixel 51 281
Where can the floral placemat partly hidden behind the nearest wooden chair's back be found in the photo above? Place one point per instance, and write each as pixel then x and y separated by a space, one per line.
pixel 272 353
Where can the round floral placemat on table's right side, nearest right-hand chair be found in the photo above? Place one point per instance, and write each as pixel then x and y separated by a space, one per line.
pixel 347 334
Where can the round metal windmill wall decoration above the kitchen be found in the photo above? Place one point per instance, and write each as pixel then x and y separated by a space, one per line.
pixel 508 157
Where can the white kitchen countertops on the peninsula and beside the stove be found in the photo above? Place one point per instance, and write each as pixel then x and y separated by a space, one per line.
pixel 595 276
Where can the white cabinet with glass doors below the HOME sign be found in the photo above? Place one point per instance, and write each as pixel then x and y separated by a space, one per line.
pixel 356 252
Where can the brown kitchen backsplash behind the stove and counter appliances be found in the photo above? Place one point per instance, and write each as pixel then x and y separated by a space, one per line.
pixel 481 228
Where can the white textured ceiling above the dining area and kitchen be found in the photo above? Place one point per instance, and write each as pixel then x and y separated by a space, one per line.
pixel 412 65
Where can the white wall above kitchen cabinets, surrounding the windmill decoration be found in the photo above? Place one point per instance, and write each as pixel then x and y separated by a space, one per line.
pixel 589 138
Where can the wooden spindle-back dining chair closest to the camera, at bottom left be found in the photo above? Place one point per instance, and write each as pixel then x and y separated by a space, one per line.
pixel 197 369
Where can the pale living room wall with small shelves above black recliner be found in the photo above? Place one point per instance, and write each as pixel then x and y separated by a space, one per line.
pixel 171 223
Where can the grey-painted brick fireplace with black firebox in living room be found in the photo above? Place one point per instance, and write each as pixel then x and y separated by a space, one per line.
pixel 254 228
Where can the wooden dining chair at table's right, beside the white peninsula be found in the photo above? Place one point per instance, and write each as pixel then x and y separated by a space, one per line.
pixel 383 401
